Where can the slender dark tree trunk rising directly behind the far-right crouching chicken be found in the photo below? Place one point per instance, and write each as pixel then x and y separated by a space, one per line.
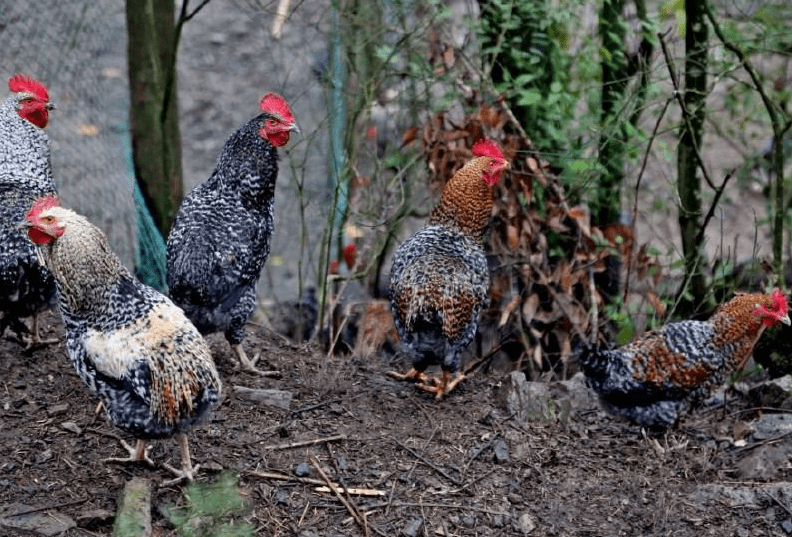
pixel 688 183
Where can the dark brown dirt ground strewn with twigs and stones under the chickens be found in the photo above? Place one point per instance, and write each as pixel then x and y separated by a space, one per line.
pixel 458 467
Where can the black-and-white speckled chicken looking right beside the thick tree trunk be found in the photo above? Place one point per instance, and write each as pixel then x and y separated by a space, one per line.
pixel 220 239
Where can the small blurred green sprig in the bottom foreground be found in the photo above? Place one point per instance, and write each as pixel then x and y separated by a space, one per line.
pixel 211 510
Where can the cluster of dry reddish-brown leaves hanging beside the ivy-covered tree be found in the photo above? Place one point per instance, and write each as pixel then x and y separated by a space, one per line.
pixel 543 255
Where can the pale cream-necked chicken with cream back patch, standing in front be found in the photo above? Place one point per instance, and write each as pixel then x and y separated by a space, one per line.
pixel 134 348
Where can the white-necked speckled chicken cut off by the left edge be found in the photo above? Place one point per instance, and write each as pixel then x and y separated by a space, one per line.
pixel 26 288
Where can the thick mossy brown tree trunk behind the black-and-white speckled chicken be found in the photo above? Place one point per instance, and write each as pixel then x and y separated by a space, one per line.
pixel 156 141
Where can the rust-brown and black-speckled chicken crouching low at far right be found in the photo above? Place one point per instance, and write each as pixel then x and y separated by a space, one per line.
pixel 666 371
